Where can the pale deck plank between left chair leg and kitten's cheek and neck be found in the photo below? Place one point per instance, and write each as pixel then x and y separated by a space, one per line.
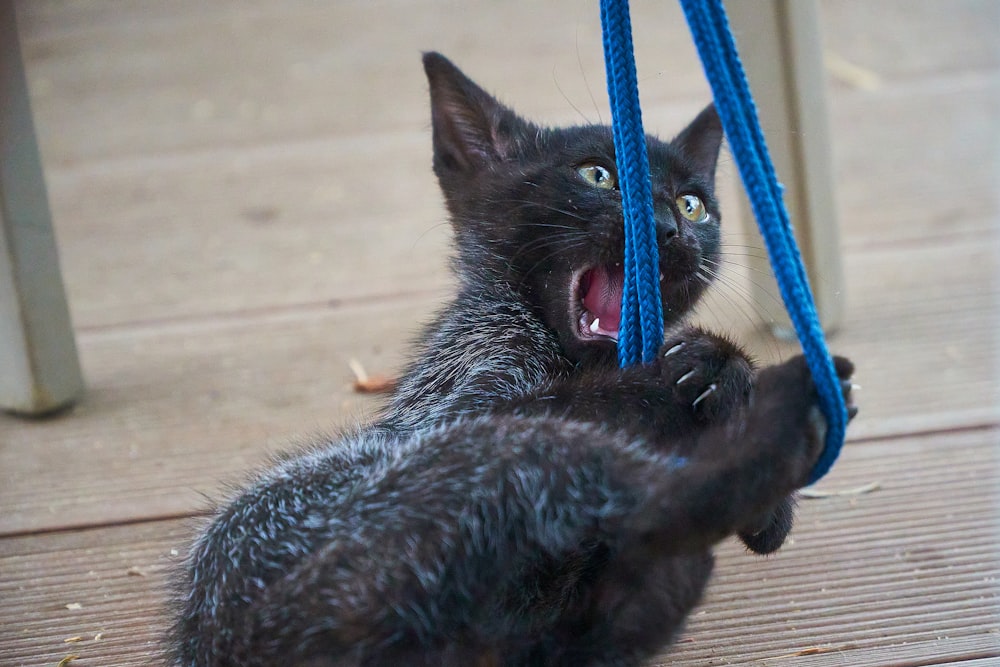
pixel 262 227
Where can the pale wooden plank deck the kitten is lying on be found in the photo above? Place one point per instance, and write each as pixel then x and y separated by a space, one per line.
pixel 243 199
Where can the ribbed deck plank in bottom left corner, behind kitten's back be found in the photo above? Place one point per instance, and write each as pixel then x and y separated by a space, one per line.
pixel 117 577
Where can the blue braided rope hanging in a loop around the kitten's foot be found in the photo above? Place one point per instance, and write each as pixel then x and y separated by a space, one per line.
pixel 714 40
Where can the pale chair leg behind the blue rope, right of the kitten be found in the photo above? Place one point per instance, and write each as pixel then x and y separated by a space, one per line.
pixel 781 47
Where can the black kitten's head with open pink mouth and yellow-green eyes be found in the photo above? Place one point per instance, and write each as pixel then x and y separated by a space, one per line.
pixel 540 209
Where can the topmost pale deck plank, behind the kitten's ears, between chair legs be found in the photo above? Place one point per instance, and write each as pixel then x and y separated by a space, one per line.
pixel 253 72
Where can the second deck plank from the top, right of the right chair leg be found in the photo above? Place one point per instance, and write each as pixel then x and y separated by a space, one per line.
pixel 904 178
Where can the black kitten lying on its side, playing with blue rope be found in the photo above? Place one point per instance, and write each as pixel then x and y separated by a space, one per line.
pixel 522 500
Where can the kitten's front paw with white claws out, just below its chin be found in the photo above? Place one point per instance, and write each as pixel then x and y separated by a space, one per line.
pixel 706 372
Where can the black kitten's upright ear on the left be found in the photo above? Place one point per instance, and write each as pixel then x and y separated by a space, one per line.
pixel 471 129
